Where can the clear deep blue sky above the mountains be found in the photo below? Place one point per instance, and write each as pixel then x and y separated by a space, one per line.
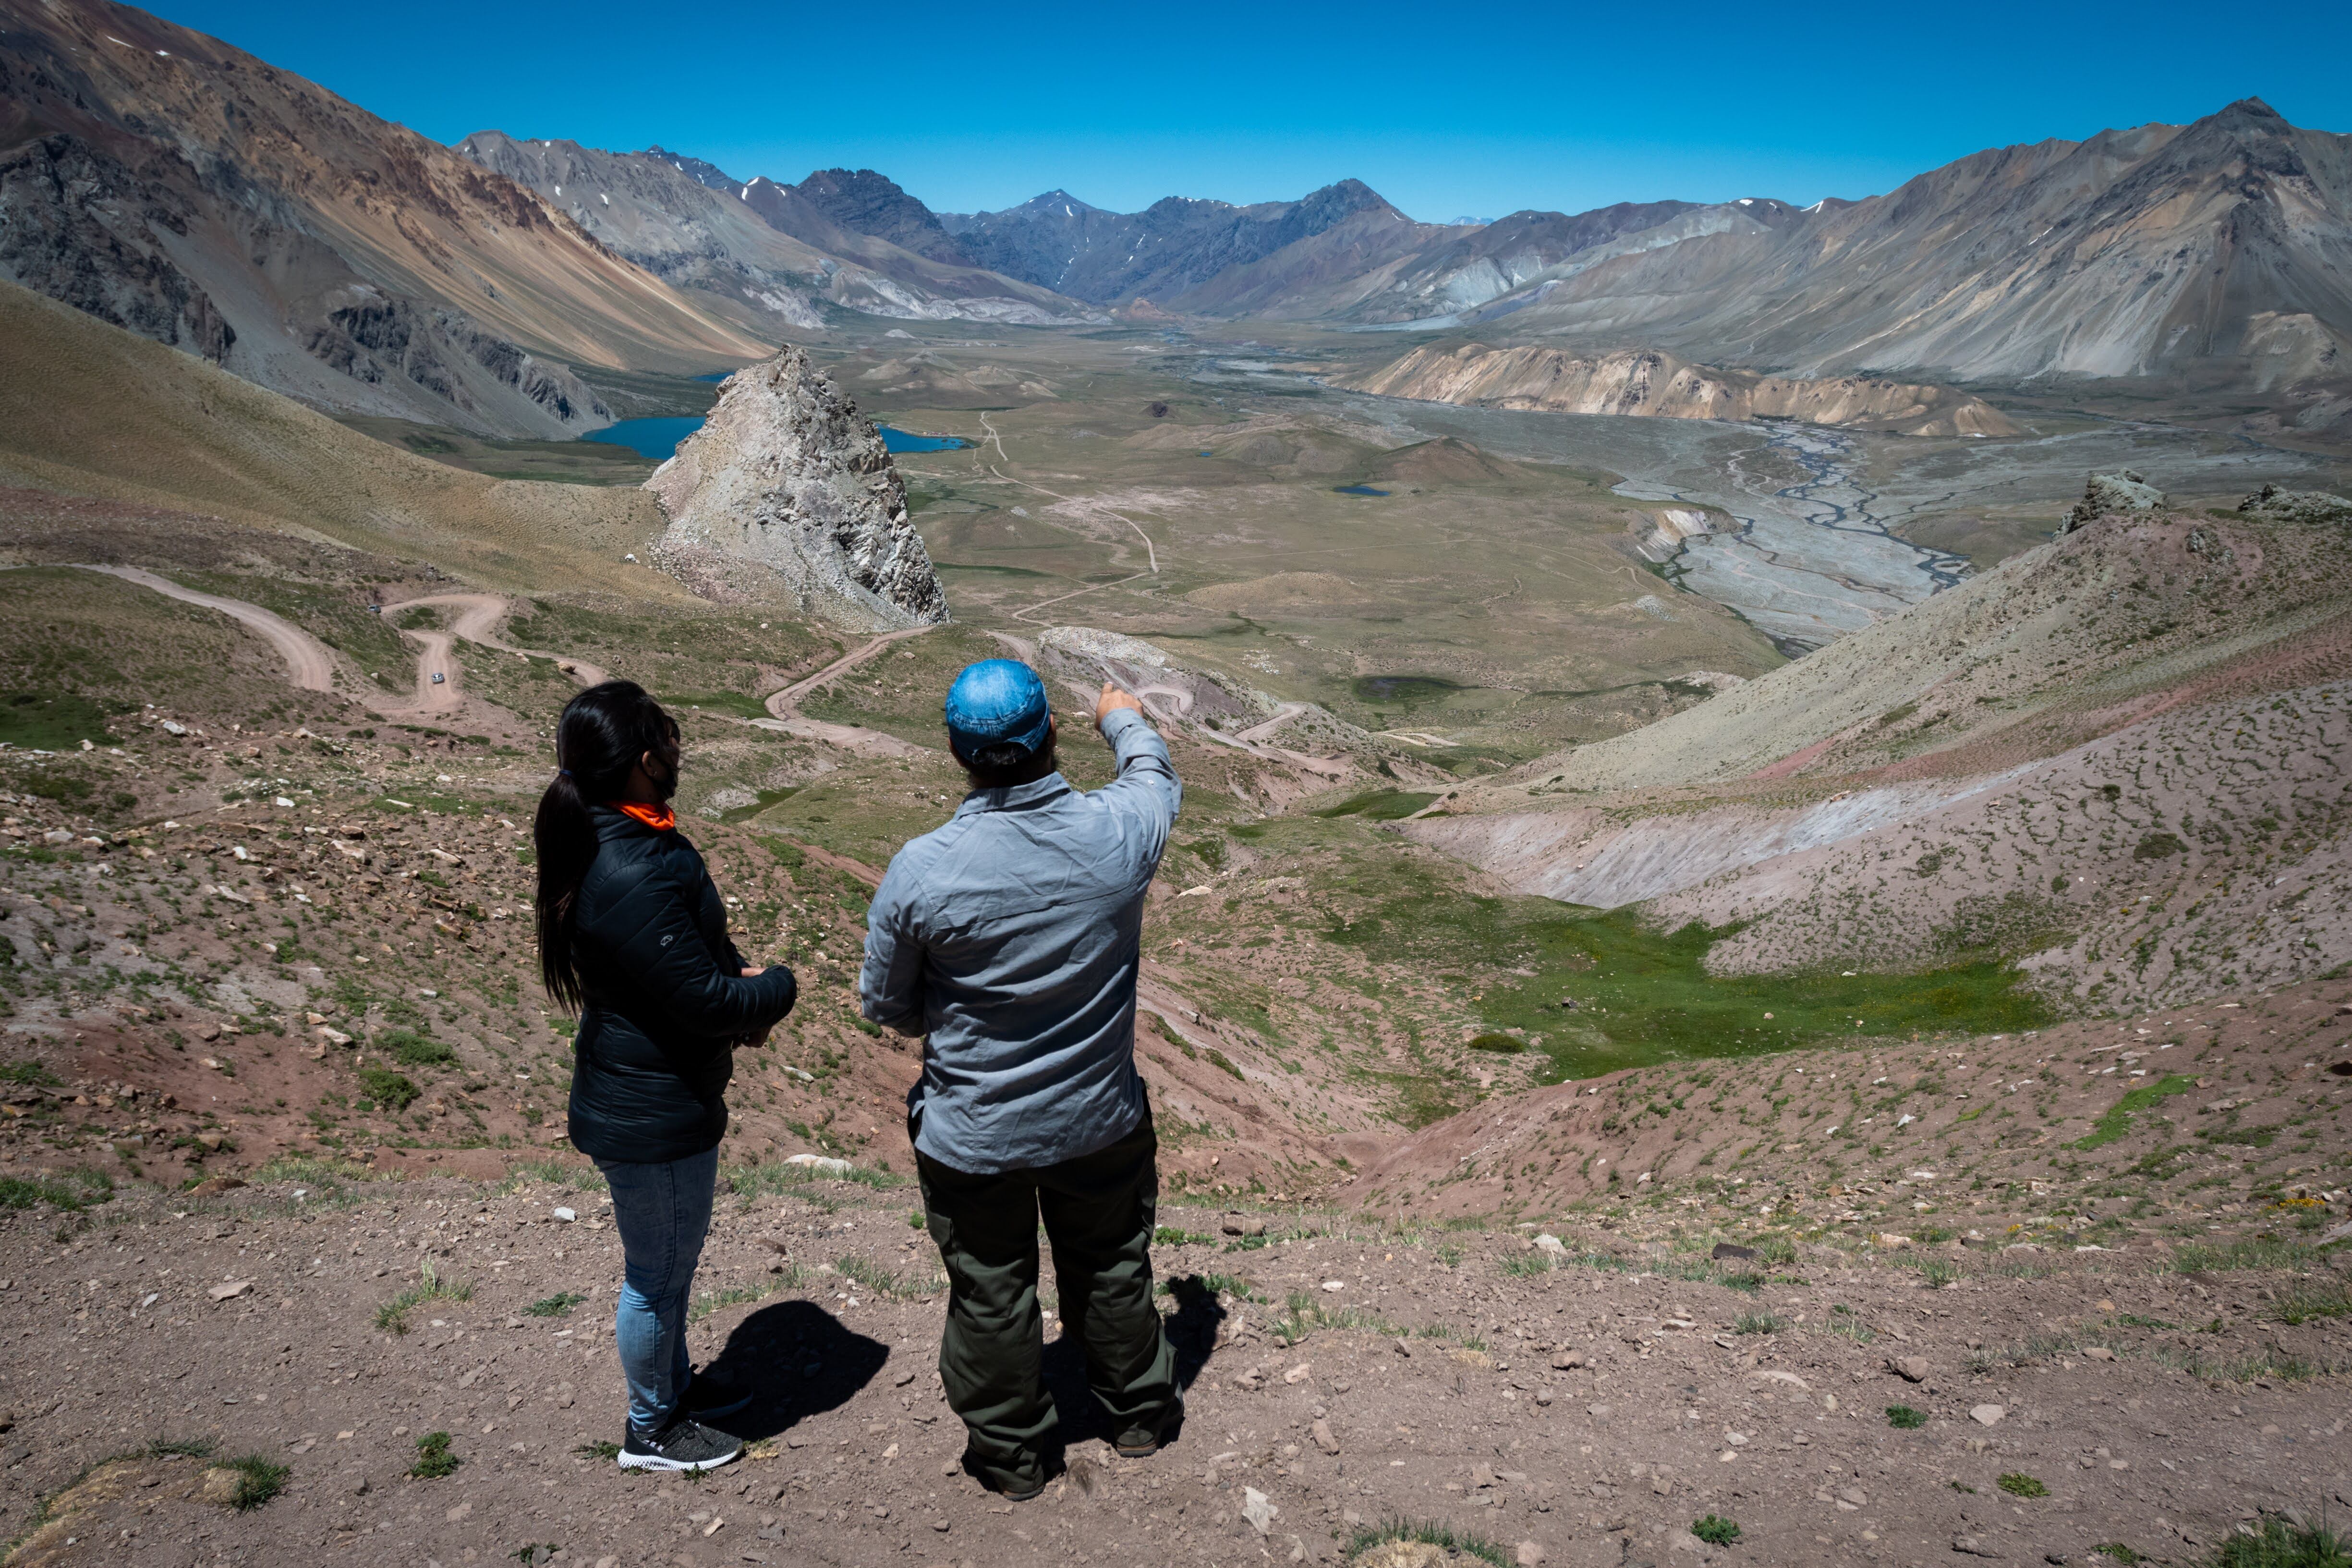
pixel 1448 112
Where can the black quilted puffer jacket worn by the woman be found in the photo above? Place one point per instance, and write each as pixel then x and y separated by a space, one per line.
pixel 664 998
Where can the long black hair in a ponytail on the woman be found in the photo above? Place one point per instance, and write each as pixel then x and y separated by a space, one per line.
pixel 599 742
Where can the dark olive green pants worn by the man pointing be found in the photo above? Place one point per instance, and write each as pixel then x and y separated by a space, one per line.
pixel 1100 1212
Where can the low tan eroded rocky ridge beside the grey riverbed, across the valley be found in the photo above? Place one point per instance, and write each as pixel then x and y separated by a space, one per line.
pixel 1662 387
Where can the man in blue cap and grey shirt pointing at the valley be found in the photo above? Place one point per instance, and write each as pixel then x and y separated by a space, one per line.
pixel 1010 939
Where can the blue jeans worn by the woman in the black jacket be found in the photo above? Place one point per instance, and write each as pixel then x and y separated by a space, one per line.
pixel 662 1212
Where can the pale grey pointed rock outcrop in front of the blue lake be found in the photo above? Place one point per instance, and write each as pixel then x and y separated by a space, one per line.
pixel 787 492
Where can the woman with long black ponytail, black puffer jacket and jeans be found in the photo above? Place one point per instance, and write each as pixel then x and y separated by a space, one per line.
pixel 634 937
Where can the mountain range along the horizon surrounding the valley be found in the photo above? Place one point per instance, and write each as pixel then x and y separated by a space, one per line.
pixel 189 192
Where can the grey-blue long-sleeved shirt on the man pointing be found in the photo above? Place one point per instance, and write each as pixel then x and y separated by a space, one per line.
pixel 1010 937
